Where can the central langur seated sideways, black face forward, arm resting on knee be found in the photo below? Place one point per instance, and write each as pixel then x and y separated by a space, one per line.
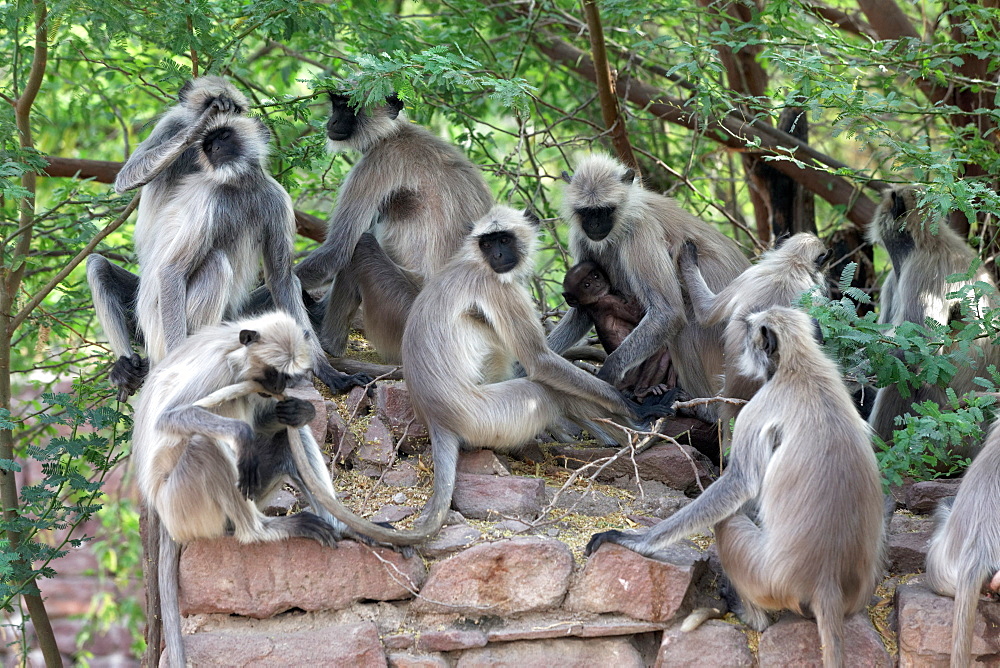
pixel 468 326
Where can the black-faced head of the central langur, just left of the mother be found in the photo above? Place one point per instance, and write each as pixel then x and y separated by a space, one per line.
pixel 505 239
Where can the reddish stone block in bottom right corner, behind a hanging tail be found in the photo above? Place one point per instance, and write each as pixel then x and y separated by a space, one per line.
pixel 925 628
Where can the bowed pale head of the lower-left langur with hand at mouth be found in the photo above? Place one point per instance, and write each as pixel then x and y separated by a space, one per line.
pixel 273 349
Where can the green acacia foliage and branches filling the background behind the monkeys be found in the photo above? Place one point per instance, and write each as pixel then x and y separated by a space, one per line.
pixel 892 91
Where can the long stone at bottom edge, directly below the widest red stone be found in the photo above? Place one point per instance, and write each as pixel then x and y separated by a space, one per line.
pixel 342 645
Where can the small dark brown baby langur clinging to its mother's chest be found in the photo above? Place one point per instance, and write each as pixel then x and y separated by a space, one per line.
pixel 586 287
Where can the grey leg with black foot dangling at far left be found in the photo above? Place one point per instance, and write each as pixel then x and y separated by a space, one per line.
pixel 115 291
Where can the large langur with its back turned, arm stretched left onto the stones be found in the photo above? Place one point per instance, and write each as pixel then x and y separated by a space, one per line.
pixel 802 453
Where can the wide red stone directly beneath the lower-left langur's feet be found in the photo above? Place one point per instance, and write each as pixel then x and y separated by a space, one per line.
pixel 263 579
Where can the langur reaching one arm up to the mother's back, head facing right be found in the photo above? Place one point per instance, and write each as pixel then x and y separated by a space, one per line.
pixel 777 279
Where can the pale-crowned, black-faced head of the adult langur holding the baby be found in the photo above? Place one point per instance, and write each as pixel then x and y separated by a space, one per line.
pixel 596 195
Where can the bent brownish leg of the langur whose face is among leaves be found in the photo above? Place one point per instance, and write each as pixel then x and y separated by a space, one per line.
pixel 387 293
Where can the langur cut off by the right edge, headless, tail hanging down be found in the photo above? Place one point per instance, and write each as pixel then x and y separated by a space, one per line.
pixel 964 554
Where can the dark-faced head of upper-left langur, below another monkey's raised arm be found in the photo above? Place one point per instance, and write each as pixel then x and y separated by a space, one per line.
pixel 233 145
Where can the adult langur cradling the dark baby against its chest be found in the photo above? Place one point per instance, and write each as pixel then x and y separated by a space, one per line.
pixel 634 235
